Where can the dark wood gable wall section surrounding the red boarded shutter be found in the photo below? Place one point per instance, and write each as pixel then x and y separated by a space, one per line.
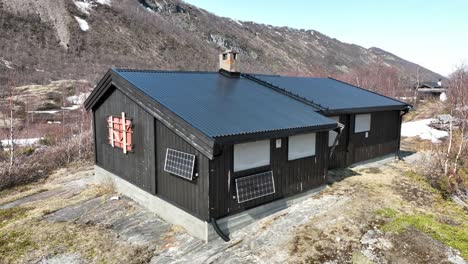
pixel 138 166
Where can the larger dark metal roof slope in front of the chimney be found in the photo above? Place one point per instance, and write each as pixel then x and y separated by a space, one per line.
pixel 221 106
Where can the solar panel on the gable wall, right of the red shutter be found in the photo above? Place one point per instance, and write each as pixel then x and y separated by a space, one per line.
pixel 179 163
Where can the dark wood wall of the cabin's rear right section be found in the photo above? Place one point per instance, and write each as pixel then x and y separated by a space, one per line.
pixel 382 139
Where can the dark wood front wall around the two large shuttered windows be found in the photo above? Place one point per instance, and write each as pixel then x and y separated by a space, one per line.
pixel 291 177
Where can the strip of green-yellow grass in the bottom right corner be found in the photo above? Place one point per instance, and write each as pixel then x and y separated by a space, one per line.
pixel 455 236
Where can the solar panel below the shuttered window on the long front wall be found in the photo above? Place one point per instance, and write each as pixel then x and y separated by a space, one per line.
pixel 255 186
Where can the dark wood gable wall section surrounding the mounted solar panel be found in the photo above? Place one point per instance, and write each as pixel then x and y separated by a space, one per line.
pixel 192 196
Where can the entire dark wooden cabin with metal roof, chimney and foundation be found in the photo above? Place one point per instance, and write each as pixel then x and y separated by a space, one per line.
pixel 198 148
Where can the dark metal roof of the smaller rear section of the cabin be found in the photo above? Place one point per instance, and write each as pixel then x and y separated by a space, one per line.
pixel 331 94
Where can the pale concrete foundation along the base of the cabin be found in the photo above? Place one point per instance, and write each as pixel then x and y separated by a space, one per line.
pixel 198 228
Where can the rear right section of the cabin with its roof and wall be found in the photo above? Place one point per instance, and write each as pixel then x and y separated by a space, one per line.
pixel 372 122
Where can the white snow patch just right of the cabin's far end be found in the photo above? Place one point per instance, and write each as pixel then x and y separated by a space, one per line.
pixel 422 129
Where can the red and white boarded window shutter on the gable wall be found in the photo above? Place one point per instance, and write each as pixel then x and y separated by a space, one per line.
pixel 120 132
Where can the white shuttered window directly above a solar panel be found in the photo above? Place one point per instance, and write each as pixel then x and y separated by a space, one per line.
pixel 251 155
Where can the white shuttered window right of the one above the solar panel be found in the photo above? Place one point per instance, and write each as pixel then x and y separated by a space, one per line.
pixel 301 146
